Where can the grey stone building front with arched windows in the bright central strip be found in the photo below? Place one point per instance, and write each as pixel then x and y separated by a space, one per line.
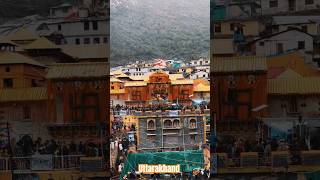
pixel 171 131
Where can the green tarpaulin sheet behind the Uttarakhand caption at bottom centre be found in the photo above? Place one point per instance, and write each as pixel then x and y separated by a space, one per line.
pixel 188 160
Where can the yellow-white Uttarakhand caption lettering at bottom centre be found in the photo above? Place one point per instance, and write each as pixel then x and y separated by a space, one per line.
pixel 159 169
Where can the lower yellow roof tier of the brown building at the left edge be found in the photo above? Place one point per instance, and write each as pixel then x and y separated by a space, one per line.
pixel 23 94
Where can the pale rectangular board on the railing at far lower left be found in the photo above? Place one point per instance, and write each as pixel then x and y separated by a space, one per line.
pixel 41 162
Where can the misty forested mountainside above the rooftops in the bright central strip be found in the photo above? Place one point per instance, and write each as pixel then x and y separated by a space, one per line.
pixel 144 29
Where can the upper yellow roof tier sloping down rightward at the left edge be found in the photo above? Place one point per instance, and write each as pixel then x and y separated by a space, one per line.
pixel 7 57
